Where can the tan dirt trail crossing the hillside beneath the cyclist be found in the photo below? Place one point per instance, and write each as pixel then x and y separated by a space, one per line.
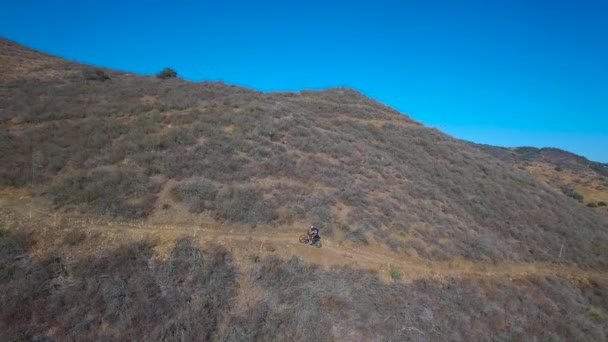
pixel 247 245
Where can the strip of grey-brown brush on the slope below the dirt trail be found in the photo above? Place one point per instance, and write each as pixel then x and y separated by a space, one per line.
pixel 127 294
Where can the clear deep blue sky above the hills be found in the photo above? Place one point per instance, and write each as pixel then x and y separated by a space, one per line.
pixel 507 73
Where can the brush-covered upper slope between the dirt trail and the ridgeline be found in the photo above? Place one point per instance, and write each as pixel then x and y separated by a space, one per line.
pixel 138 146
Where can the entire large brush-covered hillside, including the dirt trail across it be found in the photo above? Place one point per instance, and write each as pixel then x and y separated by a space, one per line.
pixel 164 187
